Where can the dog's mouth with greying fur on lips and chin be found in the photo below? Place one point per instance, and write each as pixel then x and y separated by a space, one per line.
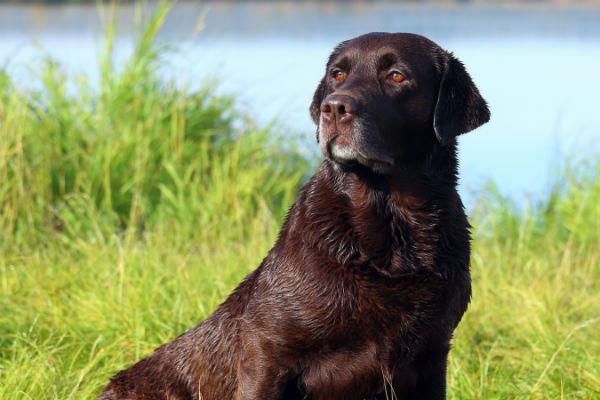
pixel 349 156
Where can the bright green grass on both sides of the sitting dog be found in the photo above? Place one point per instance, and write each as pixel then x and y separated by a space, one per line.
pixel 131 209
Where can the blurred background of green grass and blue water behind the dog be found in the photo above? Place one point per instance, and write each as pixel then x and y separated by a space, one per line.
pixel 149 153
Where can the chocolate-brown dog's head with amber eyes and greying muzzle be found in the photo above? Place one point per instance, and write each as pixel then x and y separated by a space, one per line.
pixel 387 99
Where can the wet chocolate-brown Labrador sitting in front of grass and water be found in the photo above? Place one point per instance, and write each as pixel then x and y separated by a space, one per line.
pixel 361 293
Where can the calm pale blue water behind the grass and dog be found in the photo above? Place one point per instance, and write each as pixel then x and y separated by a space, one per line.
pixel 536 67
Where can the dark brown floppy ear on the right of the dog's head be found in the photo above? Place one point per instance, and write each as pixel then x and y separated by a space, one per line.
pixel 460 108
